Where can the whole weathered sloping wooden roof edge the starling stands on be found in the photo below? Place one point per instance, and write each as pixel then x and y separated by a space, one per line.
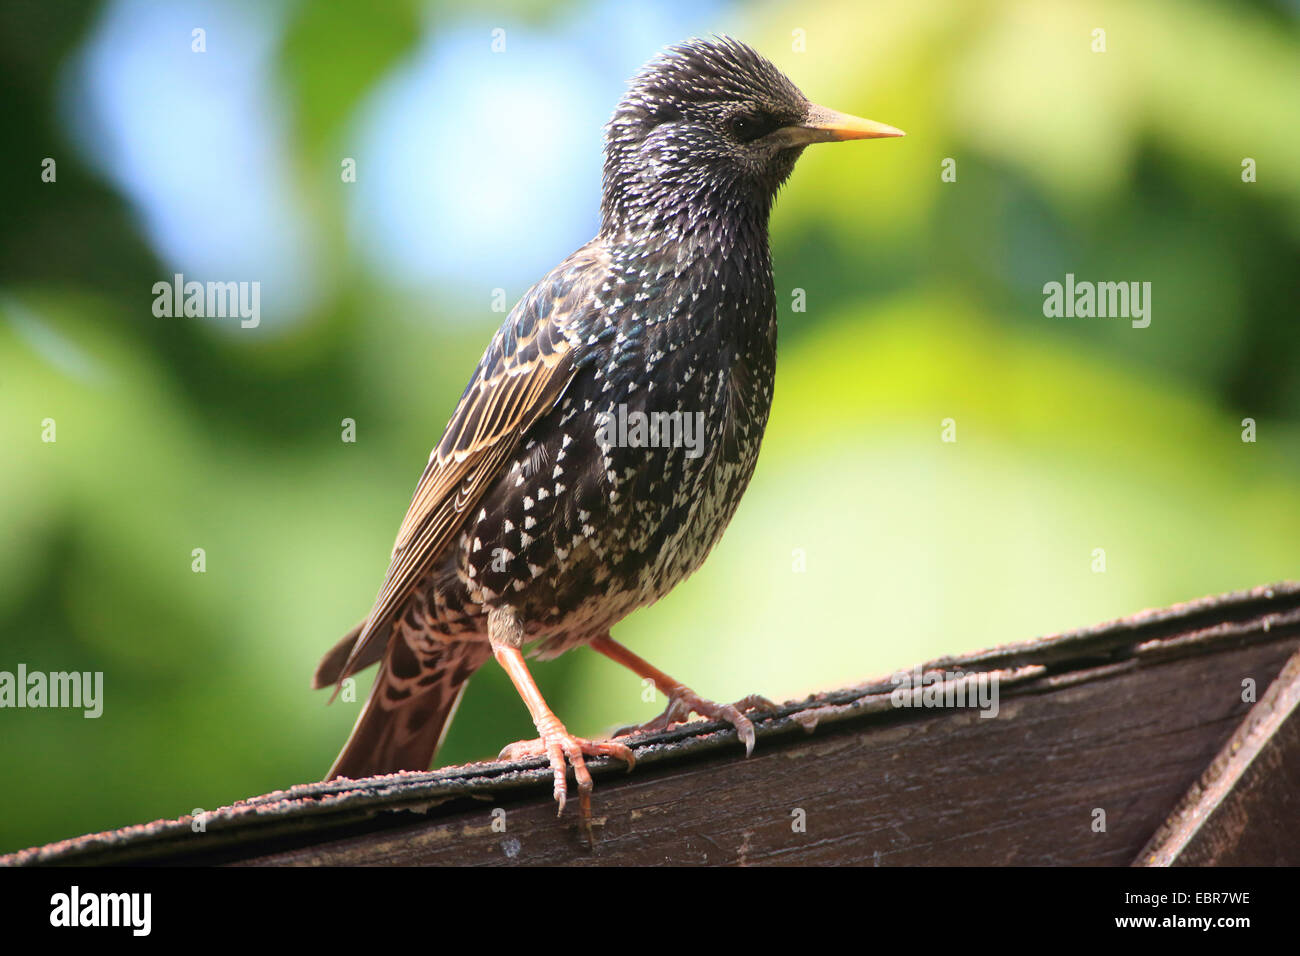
pixel 1120 720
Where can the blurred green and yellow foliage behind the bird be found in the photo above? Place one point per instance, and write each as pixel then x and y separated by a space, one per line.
pixel 924 304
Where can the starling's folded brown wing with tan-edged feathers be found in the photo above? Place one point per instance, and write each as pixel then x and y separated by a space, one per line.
pixel 519 379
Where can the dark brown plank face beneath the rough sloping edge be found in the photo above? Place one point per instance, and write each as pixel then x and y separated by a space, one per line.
pixel 951 789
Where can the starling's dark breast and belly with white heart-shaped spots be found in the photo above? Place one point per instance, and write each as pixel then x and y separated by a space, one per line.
pixel 623 488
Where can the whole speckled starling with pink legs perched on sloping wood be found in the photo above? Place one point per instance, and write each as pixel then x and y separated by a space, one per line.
pixel 610 430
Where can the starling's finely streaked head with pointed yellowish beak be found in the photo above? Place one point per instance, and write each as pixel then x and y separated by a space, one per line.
pixel 708 124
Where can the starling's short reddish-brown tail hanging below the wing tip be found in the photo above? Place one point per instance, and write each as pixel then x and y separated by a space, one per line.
pixel 410 707
